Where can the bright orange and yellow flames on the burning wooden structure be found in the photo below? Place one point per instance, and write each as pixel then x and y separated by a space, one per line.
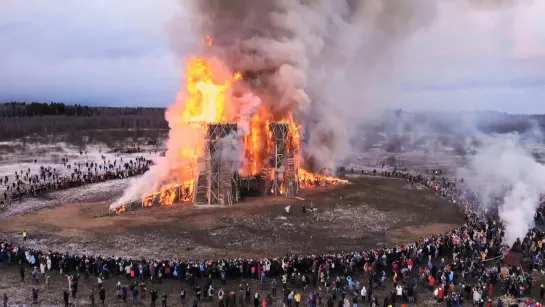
pixel 207 100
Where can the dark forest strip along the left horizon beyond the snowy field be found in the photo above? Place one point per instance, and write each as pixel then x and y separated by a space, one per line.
pixel 57 121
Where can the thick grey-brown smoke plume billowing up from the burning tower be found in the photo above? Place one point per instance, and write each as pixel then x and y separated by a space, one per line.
pixel 313 59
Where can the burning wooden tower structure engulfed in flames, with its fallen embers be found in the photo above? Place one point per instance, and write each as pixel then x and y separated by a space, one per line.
pixel 225 144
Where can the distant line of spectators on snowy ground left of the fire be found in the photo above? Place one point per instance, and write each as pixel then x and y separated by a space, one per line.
pixel 68 175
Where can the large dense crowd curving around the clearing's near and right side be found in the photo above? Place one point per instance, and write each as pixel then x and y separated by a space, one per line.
pixel 465 266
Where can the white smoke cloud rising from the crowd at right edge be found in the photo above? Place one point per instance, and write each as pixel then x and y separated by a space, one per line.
pixel 503 167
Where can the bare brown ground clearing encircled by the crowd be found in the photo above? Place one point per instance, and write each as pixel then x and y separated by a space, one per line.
pixel 369 212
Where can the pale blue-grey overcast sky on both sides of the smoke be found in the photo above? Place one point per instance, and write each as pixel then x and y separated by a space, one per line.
pixel 117 53
